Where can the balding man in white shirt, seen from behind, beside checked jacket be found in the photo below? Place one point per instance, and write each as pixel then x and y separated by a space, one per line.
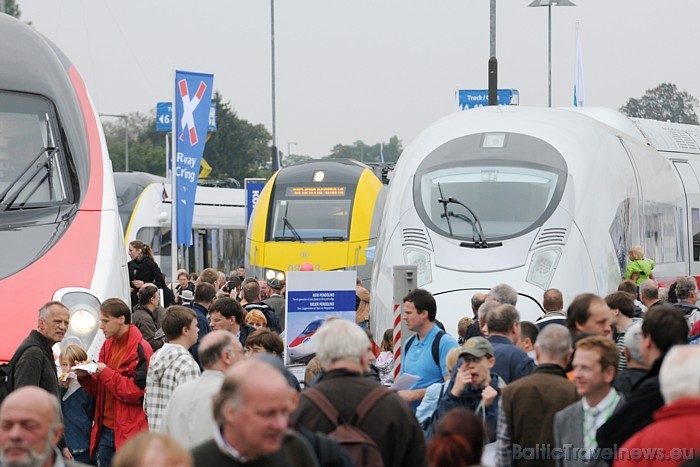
pixel 188 416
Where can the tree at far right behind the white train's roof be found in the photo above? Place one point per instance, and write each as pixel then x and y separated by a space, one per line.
pixel 664 103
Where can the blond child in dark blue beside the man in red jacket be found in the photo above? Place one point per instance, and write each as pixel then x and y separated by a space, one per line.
pixel 77 406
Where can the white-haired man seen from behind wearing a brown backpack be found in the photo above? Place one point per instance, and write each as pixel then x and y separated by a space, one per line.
pixel 372 423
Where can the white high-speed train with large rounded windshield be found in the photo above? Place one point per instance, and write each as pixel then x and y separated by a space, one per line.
pixel 537 198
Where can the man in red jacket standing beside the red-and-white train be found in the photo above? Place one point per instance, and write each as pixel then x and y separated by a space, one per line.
pixel 118 383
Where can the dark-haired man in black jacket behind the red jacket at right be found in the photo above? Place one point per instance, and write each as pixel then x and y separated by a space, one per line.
pixel 662 328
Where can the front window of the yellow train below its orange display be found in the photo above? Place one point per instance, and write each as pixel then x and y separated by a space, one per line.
pixel 311 219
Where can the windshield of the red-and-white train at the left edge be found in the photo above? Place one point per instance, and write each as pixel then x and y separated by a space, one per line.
pixel 31 174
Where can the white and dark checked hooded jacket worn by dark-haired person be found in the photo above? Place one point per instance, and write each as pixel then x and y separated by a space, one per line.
pixel 170 367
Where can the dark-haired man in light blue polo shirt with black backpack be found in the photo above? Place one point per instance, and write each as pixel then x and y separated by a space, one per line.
pixel 421 356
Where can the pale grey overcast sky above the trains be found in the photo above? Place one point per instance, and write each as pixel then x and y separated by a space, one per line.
pixel 367 69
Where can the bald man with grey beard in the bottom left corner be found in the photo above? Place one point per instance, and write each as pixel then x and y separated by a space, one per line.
pixel 30 429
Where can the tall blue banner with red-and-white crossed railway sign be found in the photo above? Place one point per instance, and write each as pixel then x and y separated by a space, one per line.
pixel 192 106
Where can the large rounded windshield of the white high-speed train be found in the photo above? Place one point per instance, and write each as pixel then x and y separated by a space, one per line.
pixel 503 193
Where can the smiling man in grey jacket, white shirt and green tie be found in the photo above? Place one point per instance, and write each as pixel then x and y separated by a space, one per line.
pixel 595 366
